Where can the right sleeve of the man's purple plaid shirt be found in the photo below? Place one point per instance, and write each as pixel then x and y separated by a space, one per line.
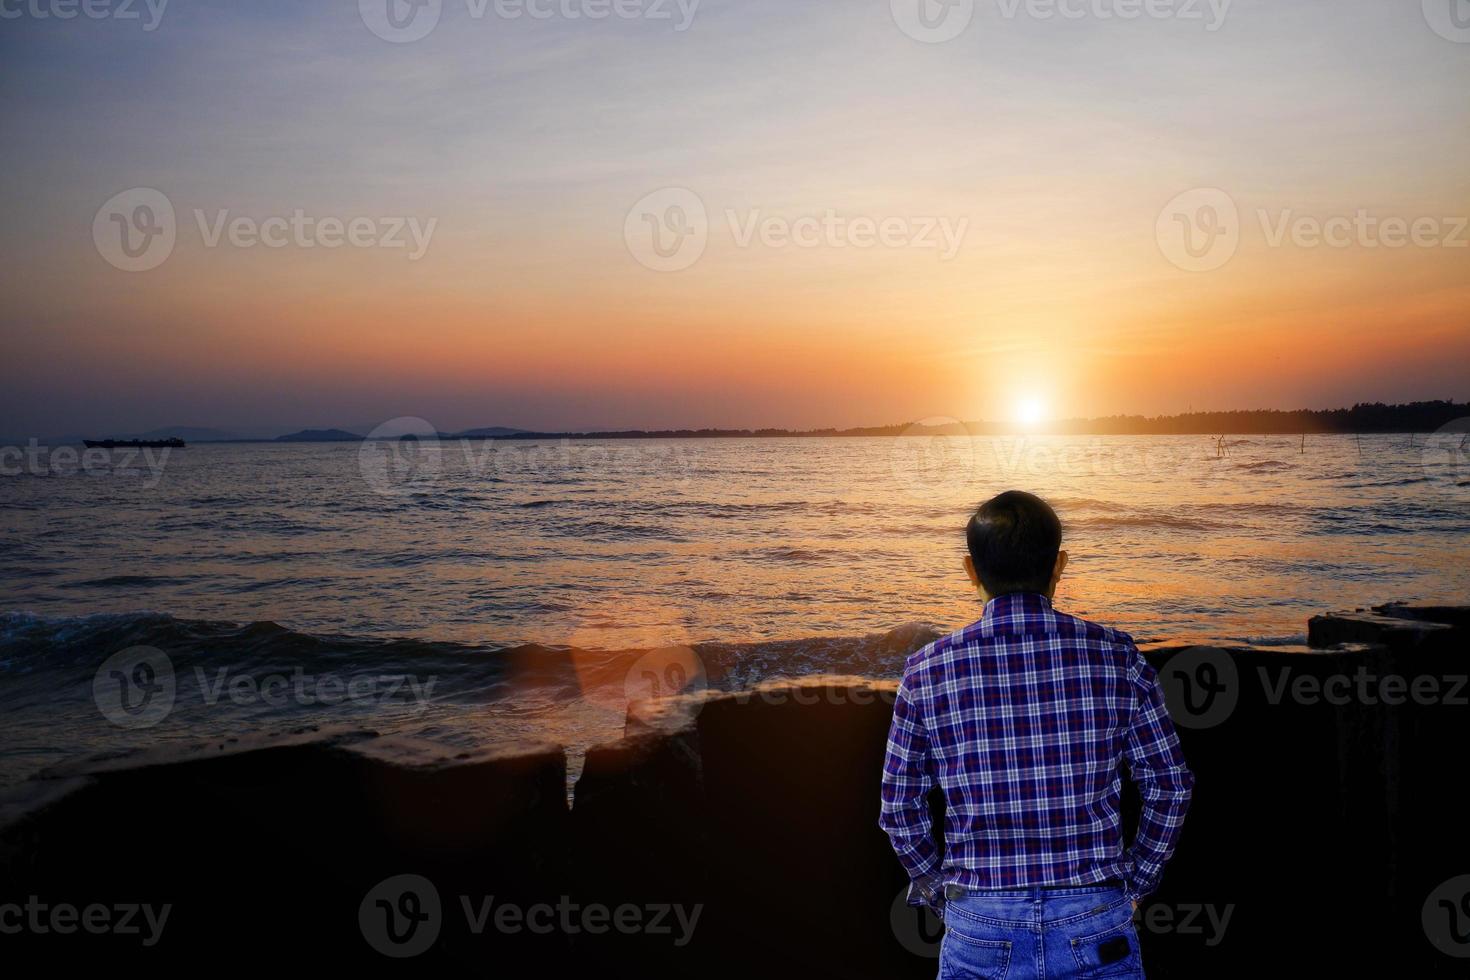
pixel 1164 781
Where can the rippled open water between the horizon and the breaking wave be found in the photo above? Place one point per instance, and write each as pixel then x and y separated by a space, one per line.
pixel 643 543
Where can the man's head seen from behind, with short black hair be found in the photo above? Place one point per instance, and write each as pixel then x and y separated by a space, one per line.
pixel 1014 540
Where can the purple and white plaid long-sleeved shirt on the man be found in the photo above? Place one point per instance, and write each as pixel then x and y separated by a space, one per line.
pixel 1025 721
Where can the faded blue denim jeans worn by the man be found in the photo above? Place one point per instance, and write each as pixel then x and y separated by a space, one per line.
pixel 1040 934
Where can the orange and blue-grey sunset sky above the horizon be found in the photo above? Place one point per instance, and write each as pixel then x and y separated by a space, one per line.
pixel 1056 145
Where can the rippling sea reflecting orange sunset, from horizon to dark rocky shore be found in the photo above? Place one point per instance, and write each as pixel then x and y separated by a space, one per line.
pixel 473 593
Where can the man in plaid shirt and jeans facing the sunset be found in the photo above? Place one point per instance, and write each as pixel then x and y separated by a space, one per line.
pixel 1025 719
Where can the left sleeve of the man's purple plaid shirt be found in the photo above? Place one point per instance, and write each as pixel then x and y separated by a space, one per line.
pixel 905 816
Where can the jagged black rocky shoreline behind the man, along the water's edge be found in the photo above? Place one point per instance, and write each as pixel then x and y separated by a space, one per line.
pixel 737 834
